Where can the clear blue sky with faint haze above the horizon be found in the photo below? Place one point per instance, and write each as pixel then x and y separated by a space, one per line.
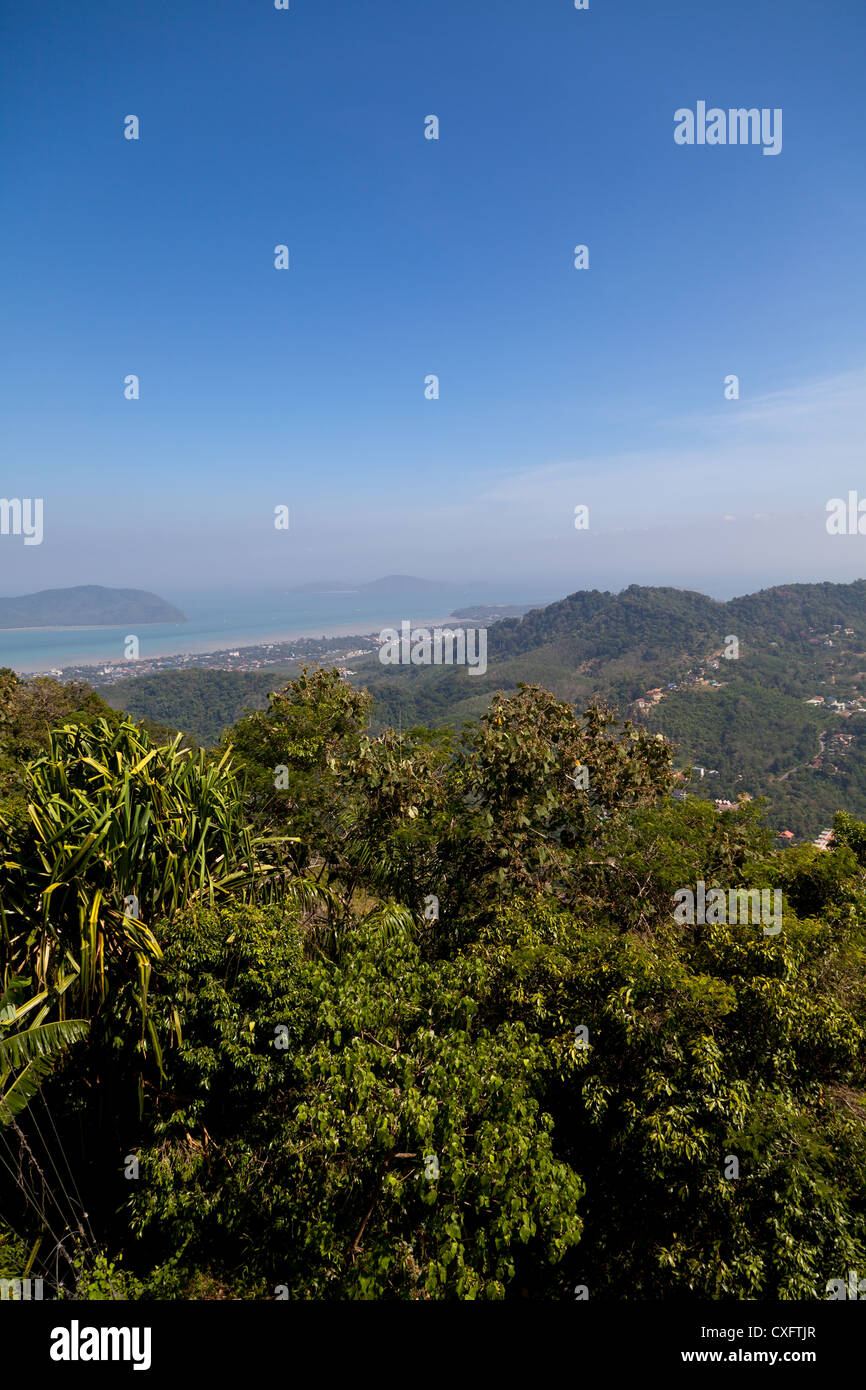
pixel 414 258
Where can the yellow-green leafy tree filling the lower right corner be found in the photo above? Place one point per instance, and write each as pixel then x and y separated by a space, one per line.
pixel 698 1049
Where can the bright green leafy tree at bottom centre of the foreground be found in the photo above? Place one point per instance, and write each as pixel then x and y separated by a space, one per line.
pixel 391 1147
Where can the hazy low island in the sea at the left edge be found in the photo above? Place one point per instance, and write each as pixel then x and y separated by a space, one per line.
pixel 87 605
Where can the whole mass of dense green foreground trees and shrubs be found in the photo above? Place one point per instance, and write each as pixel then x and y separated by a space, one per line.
pixel 409 1015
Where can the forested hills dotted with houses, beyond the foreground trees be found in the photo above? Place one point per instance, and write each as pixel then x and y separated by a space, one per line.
pixel 753 728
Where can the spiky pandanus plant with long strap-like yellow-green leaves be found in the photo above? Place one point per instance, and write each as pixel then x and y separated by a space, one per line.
pixel 122 835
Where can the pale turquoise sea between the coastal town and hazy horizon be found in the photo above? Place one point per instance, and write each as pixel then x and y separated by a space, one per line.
pixel 223 622
